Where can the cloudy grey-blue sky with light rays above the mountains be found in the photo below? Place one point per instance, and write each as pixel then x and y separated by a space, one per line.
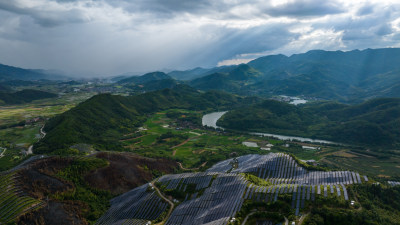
pixel 111 37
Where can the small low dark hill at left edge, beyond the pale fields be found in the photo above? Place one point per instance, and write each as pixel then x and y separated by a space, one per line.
pixel 24 96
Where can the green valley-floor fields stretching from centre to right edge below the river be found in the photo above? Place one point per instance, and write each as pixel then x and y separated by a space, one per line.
pixel 193 146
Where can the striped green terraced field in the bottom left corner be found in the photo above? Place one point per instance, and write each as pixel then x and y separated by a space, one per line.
pixel 12 200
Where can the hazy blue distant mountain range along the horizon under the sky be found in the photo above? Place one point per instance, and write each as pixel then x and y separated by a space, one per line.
pixel 351 76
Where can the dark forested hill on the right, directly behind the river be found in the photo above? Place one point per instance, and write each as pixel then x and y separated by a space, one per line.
pixel 373 122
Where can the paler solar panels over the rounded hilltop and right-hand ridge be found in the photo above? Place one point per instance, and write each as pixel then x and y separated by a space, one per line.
pixel 288 177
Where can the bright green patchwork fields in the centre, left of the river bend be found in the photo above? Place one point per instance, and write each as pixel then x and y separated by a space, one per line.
pixel 192 146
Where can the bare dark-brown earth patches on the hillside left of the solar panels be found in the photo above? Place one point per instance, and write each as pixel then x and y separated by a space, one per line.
pixel 124 172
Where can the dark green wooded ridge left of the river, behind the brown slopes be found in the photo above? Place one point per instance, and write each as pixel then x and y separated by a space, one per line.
pixel 103 118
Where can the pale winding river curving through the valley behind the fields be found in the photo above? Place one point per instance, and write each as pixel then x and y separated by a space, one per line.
pixel 211 119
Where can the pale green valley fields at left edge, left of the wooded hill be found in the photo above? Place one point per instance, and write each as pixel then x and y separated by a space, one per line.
pixel 17 138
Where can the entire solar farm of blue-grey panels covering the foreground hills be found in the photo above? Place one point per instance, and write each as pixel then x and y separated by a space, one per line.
pixel 218 194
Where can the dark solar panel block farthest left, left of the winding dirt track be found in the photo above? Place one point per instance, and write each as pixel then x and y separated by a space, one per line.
pixel 137 206
